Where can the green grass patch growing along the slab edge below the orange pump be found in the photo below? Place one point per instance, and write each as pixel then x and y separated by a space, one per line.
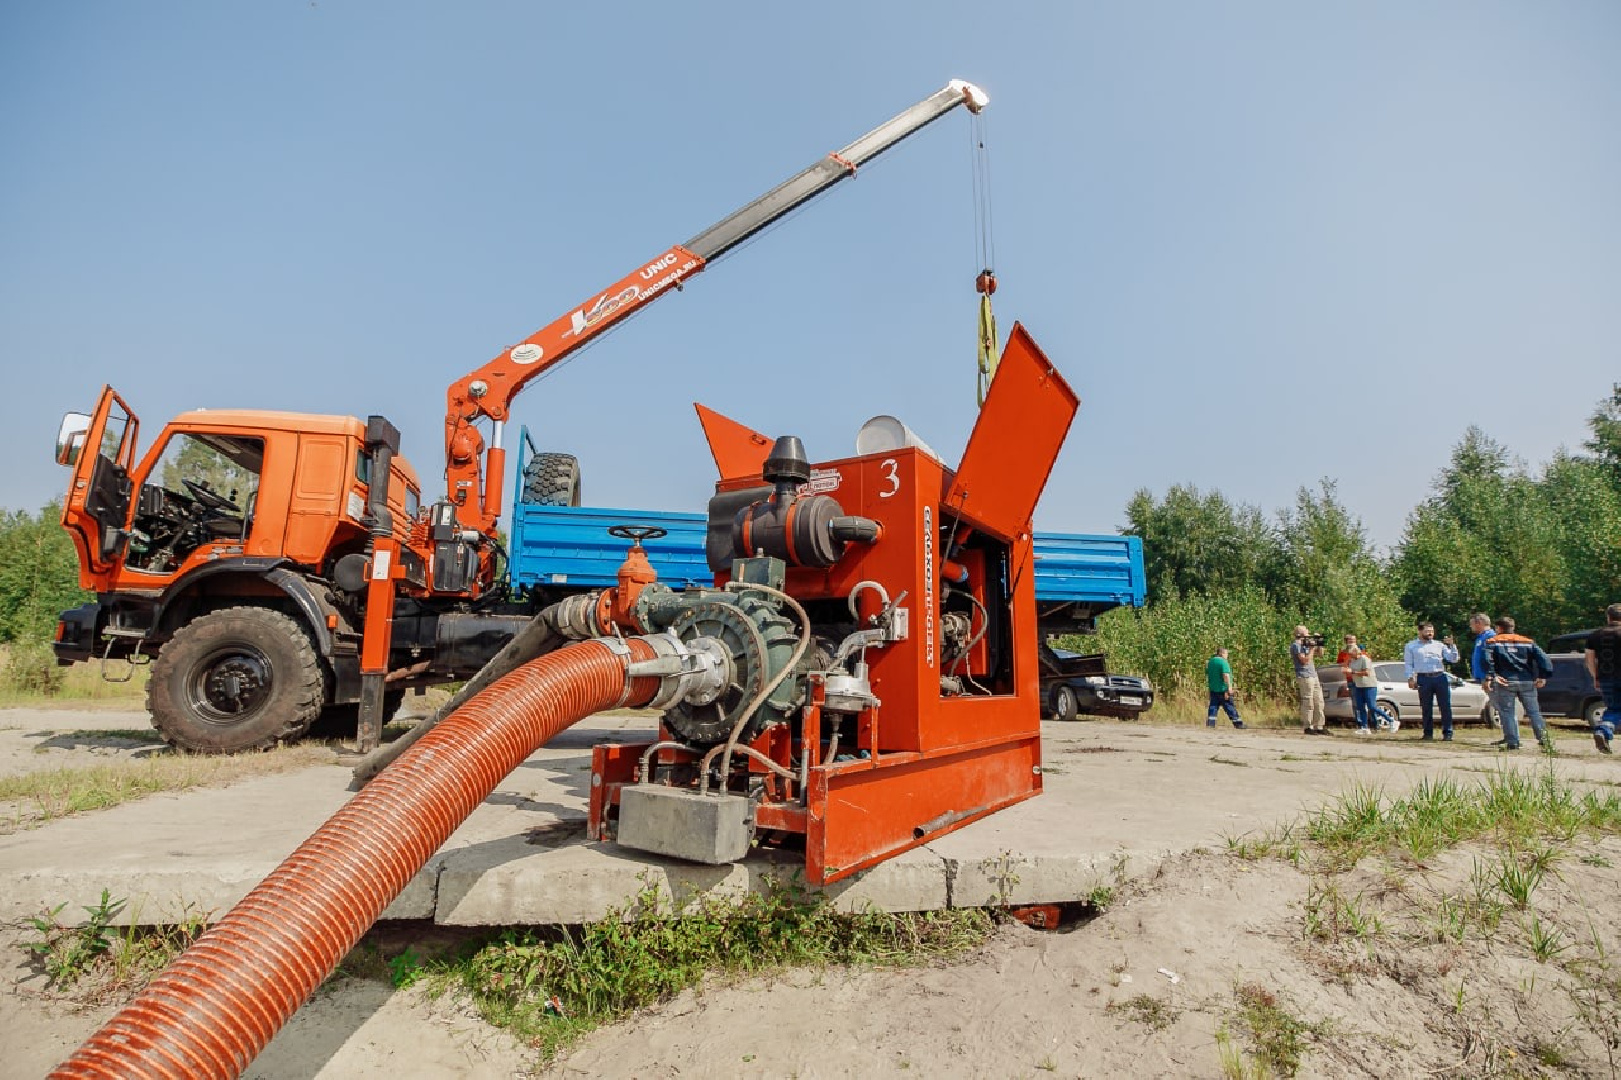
pixel 554 988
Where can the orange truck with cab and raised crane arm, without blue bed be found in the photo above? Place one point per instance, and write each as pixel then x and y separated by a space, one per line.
pixel 276 565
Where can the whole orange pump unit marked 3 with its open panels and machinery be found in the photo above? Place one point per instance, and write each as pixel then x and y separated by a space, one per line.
pixel 865 677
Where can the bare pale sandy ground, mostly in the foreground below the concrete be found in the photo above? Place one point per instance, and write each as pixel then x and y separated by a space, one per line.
pixel 1147 988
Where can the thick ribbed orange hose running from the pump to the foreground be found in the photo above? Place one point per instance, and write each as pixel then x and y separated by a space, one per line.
pixel 223 1000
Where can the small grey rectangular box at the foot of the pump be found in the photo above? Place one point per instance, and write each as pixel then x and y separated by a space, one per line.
pixel 711 829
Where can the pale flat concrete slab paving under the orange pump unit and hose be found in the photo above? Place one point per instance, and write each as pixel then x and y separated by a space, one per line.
pixel 1119 800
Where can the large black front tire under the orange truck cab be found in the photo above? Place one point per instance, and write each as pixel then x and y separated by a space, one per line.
pixel 236 680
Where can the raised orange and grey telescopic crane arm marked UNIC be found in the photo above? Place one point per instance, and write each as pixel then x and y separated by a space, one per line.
pixel 474 479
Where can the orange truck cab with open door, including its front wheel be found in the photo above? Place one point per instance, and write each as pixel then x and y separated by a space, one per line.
pixel 231 551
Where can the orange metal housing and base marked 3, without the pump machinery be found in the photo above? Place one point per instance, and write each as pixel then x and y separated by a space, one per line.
pixel 926 761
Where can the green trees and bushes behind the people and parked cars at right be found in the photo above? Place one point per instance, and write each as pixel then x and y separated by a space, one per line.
pixel 1494 536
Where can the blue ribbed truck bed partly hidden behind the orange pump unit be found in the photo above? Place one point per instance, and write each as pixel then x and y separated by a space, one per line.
pixel 568 549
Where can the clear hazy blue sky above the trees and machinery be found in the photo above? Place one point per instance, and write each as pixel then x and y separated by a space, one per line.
pixel 1267 242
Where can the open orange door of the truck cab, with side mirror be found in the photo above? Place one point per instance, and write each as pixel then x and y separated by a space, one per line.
pixel 101 452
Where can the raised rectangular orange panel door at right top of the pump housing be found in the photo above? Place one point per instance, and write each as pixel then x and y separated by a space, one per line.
pixel 1016 442
